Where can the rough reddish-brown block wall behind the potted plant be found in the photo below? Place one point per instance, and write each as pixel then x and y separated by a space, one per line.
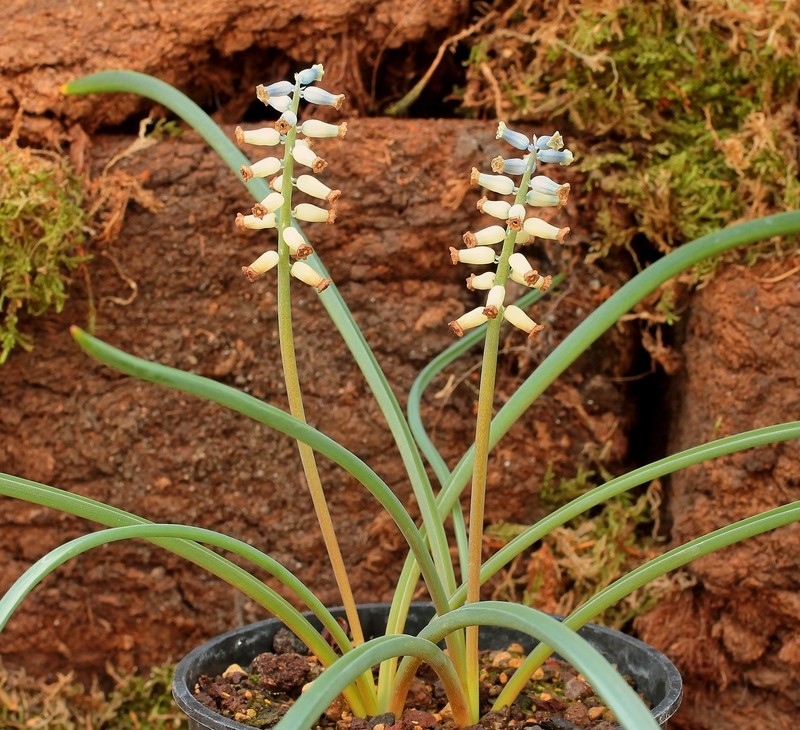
pixel 170 288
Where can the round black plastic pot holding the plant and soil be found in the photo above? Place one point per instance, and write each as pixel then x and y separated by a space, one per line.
pixel 654 675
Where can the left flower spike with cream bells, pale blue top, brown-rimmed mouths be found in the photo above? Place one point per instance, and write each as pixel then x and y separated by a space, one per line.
pixel 276 209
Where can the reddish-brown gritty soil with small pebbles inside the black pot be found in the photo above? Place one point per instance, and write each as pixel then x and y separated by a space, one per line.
pixel 556 697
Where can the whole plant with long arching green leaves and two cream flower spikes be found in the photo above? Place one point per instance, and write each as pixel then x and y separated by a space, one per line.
pixel 457 612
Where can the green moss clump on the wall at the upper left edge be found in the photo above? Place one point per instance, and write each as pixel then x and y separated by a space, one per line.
pixel 42 232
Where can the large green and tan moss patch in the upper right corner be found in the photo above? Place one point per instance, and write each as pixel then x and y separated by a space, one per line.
pixel 689 107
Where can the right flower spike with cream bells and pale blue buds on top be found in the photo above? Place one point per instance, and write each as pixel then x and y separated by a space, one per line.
pixel 535 191
